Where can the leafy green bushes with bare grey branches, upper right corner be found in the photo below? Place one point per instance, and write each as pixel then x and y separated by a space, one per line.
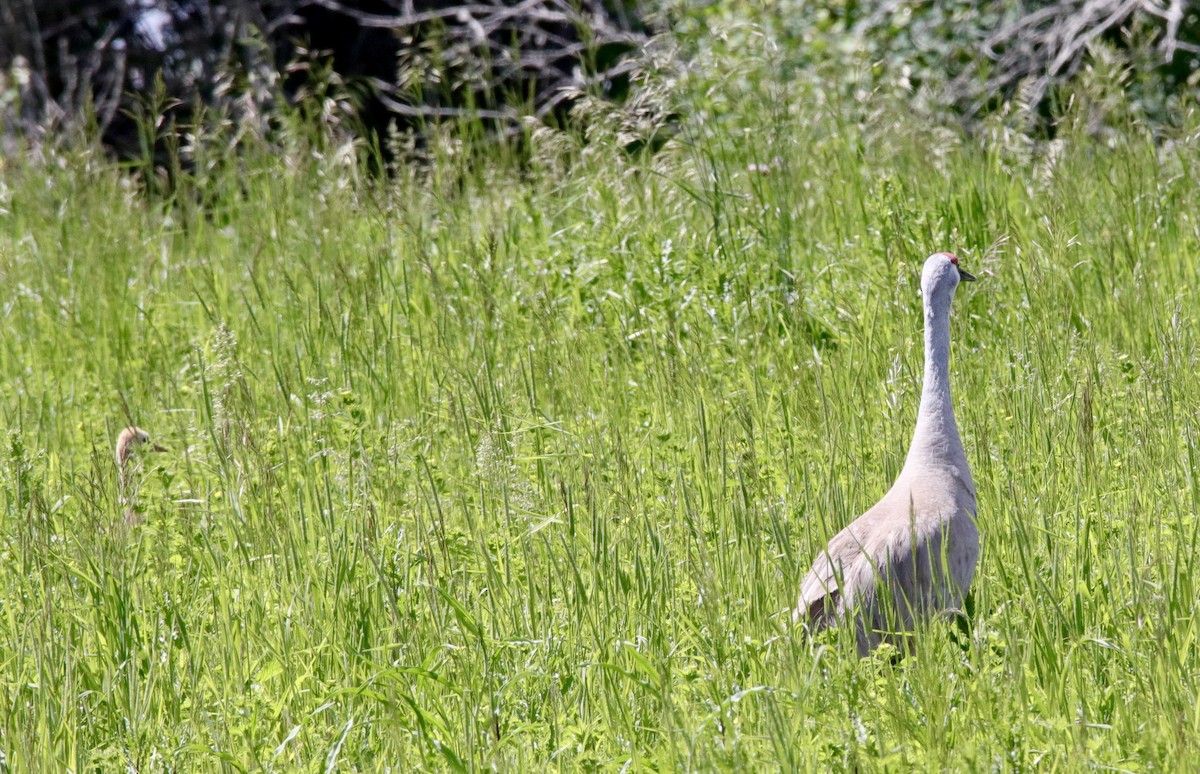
pixel 970 59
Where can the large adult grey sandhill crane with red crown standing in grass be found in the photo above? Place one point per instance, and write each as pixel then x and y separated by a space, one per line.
pixel 915 553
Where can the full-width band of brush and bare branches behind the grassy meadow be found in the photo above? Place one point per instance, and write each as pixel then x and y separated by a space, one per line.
pixel 133 70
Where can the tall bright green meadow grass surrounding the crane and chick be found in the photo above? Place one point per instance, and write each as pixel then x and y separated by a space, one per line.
pixel 520 467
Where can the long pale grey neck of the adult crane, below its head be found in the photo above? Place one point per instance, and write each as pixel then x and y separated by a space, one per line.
pixel 937 439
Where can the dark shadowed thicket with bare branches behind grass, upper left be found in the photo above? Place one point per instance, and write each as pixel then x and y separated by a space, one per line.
pixel 391 63
